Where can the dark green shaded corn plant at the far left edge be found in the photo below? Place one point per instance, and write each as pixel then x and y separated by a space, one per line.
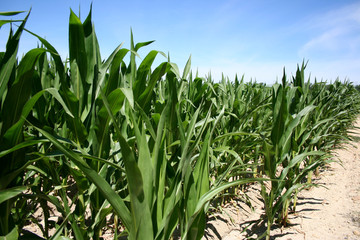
pixel 18 97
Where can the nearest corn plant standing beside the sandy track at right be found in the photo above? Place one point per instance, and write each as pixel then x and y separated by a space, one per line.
pixel 283 155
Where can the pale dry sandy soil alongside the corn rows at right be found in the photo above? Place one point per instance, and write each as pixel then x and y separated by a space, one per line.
pixel 329 212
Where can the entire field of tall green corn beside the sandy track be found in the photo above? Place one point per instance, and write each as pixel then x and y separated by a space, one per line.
pixel 147 151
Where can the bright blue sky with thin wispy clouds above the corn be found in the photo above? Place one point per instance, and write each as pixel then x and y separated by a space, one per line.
pixel 256 39
